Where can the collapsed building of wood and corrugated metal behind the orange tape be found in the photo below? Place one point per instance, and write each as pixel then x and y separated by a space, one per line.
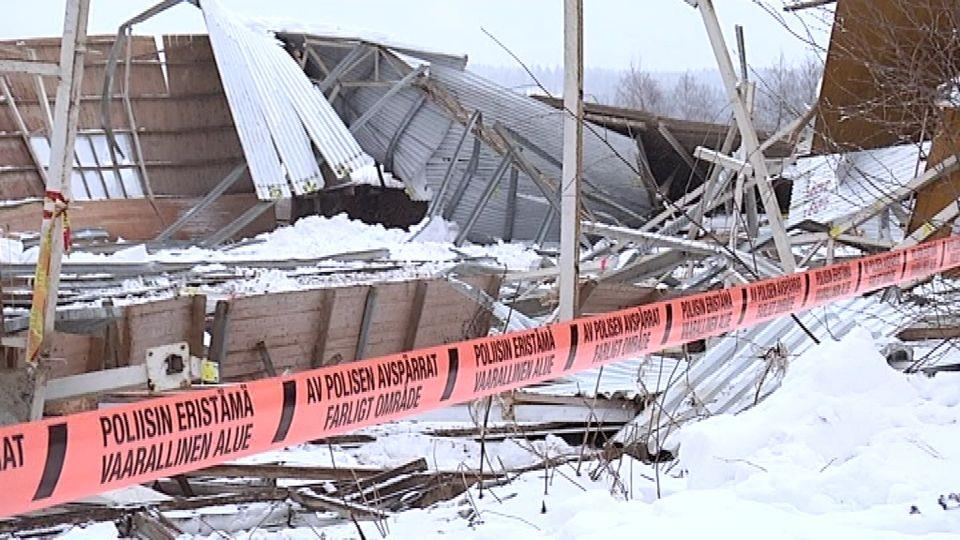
pixel 190 147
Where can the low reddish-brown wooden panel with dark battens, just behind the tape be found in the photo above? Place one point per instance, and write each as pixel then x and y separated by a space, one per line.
pixel 305 329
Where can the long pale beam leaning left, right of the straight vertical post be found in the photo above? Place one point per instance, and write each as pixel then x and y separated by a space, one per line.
pixel 748 135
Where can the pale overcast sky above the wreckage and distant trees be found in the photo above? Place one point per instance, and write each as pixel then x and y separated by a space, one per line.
pixel 665 35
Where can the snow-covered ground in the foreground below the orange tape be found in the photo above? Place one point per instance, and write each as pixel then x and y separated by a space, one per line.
pixel 847 448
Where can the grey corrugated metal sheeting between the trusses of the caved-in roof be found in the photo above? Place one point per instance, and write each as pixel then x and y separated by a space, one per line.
pixel 427 144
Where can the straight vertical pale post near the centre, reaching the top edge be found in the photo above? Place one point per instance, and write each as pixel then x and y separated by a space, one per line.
pixel 572 157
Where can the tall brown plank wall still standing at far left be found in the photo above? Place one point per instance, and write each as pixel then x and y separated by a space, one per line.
pixel 185 125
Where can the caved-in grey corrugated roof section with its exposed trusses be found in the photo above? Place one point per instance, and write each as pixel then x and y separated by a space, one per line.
pixel 416 108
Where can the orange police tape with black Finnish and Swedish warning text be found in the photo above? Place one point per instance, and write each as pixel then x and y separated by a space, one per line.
pixel 63 459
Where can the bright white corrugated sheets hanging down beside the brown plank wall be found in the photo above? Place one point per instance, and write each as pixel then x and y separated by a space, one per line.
pixel 280 116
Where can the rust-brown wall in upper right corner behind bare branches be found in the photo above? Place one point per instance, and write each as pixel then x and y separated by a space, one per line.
pixel 884 63
